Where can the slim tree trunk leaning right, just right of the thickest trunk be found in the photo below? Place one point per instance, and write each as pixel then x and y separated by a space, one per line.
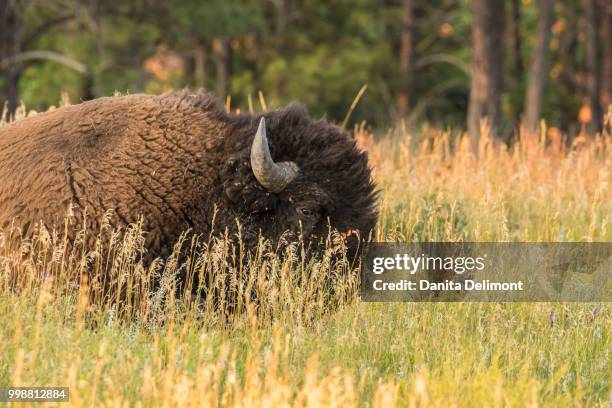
pixel 537 70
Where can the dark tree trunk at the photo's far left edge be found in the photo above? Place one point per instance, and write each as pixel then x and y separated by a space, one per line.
pixel 10 47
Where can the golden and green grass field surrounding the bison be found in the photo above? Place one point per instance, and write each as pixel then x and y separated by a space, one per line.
pixel 310 342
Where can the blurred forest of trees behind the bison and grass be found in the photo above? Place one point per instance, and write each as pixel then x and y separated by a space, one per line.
pixel 449 62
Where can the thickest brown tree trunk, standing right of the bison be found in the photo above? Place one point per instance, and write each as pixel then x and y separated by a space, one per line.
pixel 486 67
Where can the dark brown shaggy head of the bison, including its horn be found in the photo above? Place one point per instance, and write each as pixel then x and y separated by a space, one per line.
pixel 292 177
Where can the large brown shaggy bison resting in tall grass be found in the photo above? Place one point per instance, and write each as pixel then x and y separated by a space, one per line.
pixel 181 162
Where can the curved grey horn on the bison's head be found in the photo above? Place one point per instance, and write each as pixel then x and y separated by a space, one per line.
pixel 273 176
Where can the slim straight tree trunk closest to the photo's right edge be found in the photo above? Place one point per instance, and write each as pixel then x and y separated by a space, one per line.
pixel 594 52
